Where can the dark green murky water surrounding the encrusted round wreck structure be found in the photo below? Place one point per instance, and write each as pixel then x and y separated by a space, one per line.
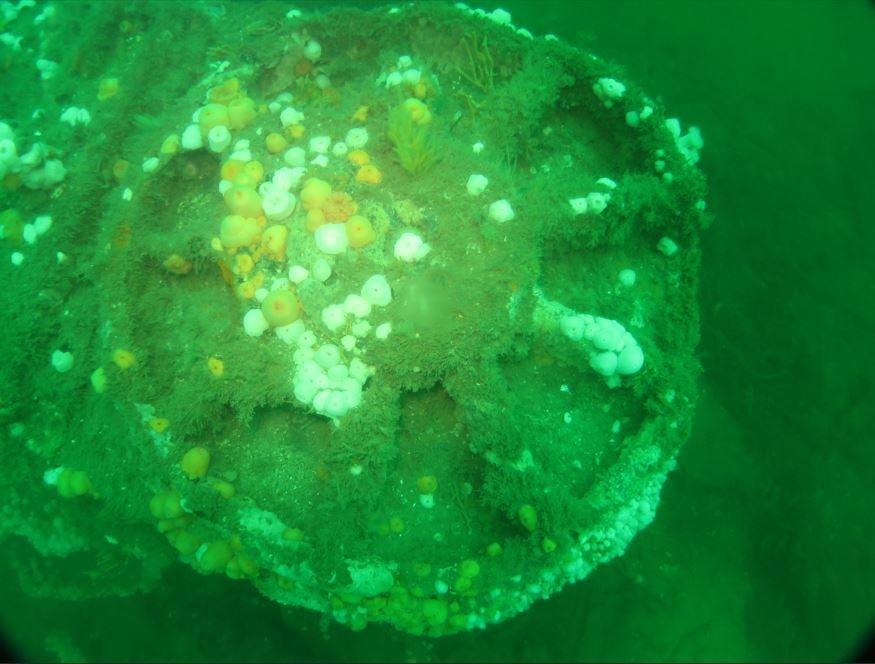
pixel 761 548
